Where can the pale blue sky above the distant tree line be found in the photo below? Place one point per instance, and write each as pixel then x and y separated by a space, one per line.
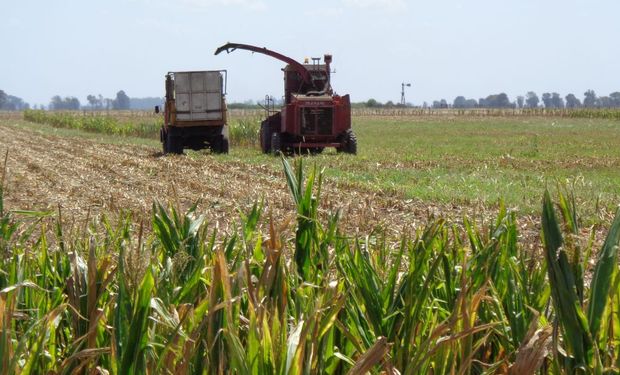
pixel 444 48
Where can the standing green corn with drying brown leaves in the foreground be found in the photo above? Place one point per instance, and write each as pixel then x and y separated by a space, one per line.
pixel 172 295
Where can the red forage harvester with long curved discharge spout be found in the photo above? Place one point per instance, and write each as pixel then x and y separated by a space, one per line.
pixel 312 117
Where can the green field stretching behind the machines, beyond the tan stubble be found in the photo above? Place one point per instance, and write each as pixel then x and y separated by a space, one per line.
pixel 462 160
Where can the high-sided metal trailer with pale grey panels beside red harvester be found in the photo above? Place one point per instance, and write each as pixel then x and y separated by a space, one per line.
pixel 195 112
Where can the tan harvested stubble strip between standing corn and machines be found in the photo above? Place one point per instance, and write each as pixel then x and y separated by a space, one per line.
pixel 86 177
